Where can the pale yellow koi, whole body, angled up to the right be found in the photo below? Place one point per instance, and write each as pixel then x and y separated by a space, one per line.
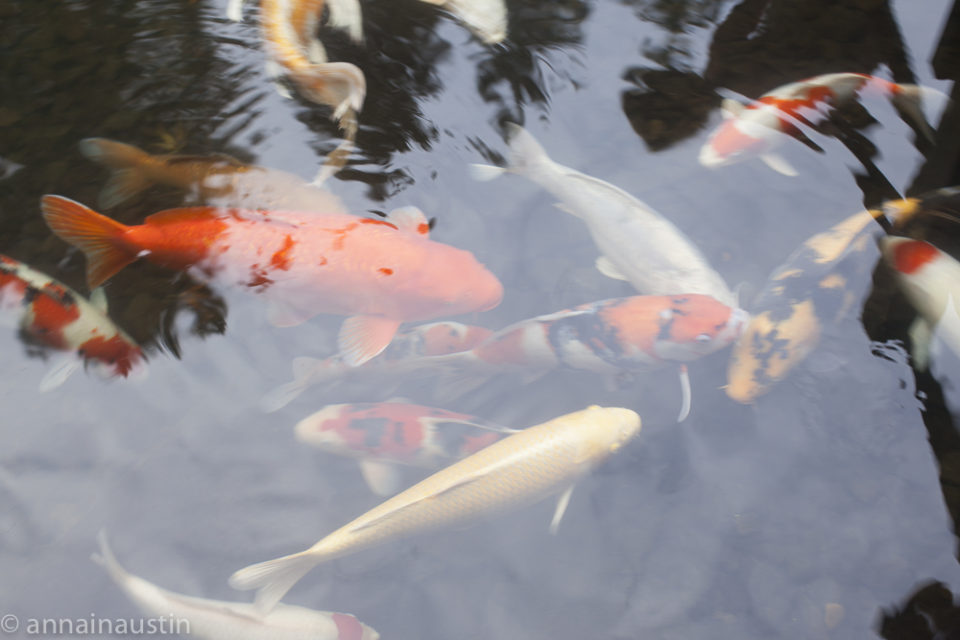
pixel 519 470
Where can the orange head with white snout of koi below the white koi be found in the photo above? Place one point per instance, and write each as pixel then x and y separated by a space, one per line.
pixel 694 325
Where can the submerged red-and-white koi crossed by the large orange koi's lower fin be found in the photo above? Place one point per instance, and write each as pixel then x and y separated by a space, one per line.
pixel 433 339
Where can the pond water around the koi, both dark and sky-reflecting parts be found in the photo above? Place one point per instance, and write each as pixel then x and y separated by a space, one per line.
pixel 827 508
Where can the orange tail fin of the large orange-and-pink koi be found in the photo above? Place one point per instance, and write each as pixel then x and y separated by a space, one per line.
pixel 96 235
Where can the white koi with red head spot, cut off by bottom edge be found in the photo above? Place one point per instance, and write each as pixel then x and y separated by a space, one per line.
pixel 221 620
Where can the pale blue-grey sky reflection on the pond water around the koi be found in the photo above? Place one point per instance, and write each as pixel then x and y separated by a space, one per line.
pixel 742 522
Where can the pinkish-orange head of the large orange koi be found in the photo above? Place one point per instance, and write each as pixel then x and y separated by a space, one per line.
pixel 449 281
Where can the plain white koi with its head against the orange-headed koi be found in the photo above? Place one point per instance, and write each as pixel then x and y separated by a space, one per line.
pixel 637 243
